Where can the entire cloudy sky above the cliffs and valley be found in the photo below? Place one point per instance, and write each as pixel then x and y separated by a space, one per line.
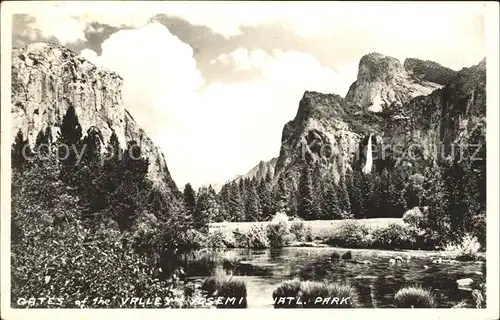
pixel 214 83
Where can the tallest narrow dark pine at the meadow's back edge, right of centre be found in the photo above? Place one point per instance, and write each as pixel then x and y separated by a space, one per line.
pixel 307 208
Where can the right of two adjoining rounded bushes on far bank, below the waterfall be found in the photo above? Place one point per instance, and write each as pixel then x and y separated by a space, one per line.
pixel 394 236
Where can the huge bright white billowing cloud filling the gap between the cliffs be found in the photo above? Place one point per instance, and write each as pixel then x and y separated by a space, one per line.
pixel 209 135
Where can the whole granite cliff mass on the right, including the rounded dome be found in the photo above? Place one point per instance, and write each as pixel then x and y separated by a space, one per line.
pixel 420 106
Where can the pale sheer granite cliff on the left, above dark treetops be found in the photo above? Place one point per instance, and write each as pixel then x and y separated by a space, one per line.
pixel 47 78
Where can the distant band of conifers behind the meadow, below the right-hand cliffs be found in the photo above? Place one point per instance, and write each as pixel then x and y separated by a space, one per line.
pixel 454 192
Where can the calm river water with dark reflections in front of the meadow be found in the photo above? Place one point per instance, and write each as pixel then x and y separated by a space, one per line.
pixel 376 283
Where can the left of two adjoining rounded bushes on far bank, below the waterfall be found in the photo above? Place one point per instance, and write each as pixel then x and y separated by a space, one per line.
pixel 351 234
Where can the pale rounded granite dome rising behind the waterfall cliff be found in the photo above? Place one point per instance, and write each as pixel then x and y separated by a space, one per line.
pixel 384 80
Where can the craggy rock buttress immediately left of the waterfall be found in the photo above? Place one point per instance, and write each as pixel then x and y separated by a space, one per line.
pixel 318 133
